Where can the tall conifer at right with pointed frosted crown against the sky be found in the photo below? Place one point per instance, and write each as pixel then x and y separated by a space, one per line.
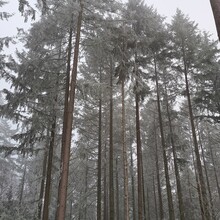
pixel 187 42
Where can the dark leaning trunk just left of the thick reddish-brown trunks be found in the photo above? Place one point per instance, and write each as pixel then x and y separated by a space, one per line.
pixel 49 171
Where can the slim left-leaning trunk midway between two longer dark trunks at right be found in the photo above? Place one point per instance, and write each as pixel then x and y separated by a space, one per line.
pixel 176 169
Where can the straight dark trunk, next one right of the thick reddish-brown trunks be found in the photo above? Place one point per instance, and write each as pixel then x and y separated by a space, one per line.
pixel 99 182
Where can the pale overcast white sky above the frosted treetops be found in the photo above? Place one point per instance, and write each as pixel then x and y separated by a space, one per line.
pixel 198 10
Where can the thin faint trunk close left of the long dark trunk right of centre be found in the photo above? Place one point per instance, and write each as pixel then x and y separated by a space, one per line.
pixel 158 176
